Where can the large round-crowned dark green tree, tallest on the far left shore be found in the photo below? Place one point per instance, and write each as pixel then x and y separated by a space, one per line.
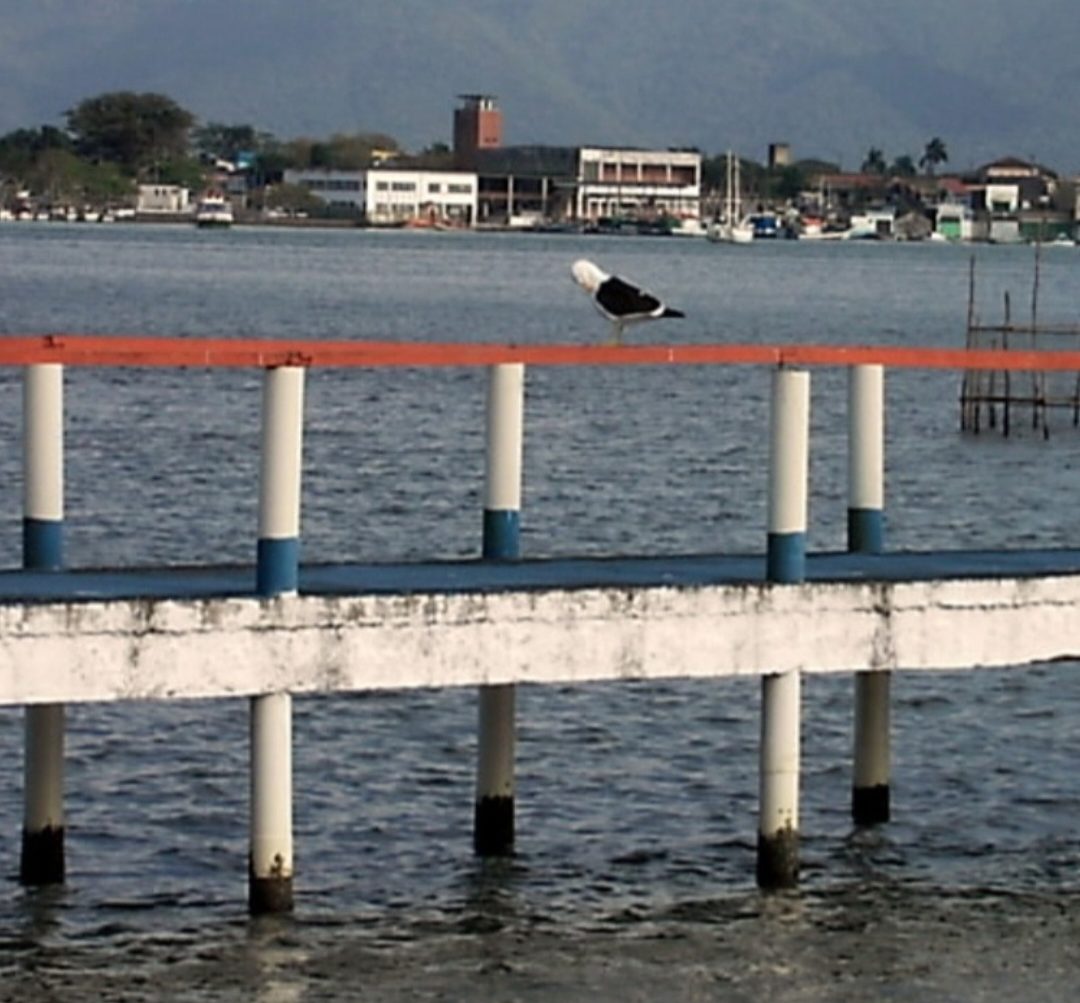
pixel 138 132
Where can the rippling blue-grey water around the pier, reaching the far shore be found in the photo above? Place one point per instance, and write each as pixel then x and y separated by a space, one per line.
pixel 637 804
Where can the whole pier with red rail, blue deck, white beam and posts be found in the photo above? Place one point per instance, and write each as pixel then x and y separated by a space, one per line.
pixel 278 628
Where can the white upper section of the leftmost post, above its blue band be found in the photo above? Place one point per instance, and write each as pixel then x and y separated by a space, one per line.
pixel 44 442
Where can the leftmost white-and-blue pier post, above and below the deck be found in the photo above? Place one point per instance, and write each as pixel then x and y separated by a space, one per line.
pixel 43 852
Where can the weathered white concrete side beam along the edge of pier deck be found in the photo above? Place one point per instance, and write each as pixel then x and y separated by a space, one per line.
pixel 164 649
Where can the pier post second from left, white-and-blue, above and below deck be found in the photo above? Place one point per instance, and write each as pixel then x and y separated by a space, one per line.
pixel 271 871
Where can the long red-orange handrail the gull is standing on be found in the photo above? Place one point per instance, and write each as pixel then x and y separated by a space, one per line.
pixel 107 350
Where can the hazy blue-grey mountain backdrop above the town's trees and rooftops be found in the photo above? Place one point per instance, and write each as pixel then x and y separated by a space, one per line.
pixel 833 78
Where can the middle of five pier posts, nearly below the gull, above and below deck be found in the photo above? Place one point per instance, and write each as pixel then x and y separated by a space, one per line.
pixel 494 820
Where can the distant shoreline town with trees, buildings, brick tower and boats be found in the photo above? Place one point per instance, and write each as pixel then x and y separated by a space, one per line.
pixel 143 157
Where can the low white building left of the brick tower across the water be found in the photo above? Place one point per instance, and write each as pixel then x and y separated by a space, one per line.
pixel 391 197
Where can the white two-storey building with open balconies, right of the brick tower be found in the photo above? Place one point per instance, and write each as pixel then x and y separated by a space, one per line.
pixel 638 183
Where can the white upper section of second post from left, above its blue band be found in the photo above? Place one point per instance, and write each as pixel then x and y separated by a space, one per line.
pixel 281 453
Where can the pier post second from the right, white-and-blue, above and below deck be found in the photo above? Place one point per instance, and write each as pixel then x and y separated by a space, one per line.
pixel 778 839
